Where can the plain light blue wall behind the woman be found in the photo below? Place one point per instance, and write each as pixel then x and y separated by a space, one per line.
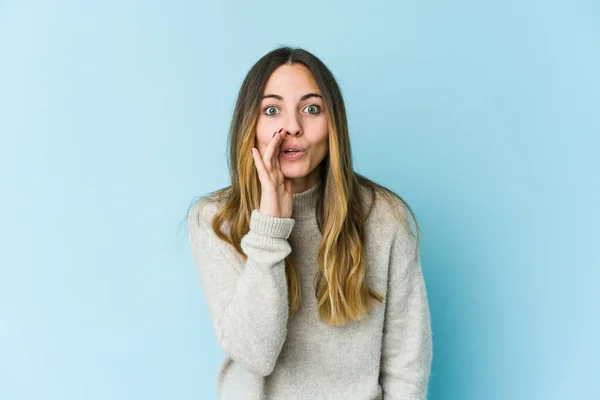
pixel 484 116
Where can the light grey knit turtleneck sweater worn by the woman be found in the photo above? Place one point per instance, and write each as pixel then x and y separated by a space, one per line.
pixel 270 356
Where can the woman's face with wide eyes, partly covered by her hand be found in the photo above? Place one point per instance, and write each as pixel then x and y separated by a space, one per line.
pixel 292 101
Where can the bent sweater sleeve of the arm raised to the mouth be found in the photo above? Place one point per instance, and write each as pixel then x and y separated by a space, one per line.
pixel 247 302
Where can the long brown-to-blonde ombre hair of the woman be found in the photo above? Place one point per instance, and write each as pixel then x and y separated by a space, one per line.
pixel 340 289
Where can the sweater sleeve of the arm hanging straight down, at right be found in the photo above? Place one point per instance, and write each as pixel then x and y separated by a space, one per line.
pixel 407 339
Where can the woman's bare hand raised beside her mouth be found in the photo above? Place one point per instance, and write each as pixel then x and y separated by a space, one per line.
pixel 276 197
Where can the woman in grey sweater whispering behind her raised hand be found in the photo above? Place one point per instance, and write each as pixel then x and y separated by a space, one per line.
pixel 310 271
